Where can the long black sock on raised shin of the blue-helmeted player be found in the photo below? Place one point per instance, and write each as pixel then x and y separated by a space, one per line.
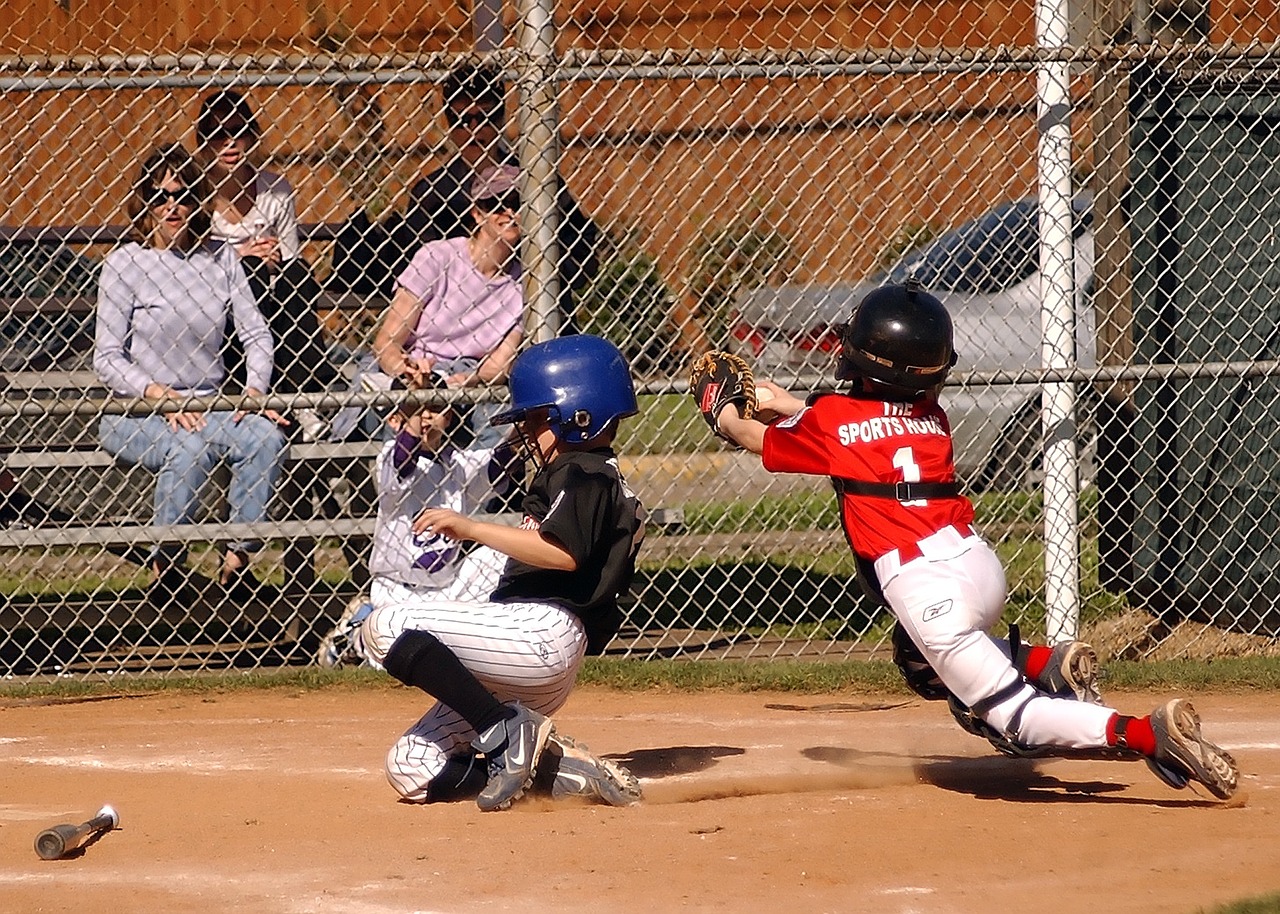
pixel 419 659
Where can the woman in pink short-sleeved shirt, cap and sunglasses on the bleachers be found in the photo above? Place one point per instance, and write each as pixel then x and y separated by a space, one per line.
pixel 459 307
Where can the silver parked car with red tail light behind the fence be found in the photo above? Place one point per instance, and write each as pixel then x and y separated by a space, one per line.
pixel 988 273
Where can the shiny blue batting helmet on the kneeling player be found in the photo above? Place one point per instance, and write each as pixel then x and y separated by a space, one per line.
pixel 583 381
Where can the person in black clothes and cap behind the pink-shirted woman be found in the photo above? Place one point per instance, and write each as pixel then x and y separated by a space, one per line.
pixel 440 204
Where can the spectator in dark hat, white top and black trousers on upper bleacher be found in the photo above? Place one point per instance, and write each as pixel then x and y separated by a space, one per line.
pixel 255 211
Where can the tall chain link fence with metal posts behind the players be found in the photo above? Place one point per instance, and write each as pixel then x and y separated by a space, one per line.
pixel 689 177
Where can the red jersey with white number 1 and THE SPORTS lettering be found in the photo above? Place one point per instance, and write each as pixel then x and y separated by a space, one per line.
pixel 874 441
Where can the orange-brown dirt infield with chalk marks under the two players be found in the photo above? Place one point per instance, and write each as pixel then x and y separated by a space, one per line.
pixel 276 802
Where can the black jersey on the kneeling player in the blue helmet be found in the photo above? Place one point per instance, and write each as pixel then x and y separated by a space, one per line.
pixel 582 502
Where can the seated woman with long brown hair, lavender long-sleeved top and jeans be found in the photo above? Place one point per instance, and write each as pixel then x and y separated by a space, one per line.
pixel 164 301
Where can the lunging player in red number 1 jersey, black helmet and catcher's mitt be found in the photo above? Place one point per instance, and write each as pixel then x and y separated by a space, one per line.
pixel 886 446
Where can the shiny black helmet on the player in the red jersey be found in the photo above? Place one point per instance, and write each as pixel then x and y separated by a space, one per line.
pixel 899 337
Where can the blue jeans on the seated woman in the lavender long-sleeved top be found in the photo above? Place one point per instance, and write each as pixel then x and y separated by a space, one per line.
pixel 185 460
